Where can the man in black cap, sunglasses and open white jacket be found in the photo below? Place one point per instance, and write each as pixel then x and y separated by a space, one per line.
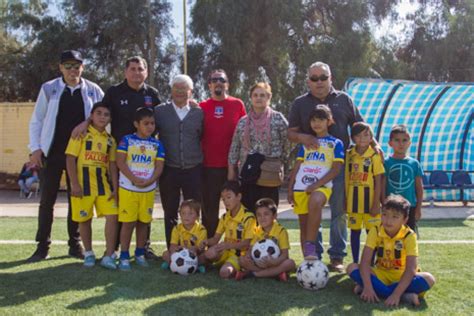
pixel 62 104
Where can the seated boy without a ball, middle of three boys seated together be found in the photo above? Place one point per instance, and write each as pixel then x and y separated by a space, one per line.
pixel 237 225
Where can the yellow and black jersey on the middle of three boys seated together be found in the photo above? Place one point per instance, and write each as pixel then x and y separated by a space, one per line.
pixel 237 228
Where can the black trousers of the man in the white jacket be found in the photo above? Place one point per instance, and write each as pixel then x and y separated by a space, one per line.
pixel 51 173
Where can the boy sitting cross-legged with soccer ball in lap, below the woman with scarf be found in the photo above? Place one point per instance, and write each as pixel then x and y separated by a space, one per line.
pixel 268 227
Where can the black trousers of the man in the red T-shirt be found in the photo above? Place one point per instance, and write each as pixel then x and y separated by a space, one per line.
pixel 213 180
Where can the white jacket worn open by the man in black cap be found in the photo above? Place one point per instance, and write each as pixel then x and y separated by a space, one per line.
pixel 43 119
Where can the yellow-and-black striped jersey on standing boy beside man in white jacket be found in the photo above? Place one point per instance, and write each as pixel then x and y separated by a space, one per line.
pixel 94 152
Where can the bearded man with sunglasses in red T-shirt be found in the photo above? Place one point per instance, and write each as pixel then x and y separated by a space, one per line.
pixel 221 115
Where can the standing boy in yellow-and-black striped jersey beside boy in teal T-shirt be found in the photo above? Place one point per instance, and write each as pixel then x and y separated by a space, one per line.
pixel 363 180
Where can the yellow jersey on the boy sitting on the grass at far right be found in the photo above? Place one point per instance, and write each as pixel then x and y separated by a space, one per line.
pixel 392 252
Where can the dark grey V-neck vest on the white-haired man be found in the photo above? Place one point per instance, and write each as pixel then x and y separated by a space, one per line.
pixel 181 139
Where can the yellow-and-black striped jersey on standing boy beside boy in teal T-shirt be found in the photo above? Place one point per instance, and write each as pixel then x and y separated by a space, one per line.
pixel 360 171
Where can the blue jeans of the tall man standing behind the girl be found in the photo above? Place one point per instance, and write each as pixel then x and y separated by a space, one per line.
pixel 338 228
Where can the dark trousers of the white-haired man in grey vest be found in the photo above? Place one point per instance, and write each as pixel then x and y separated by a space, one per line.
pixel 172 182
